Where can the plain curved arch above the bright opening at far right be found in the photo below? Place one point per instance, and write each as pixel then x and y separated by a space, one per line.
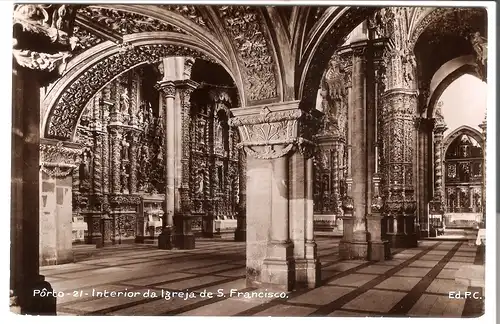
pixel 446 75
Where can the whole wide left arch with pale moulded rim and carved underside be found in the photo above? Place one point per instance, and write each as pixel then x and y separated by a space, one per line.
pixel 93 69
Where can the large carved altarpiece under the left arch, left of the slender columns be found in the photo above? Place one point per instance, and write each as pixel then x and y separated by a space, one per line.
pixel 122 168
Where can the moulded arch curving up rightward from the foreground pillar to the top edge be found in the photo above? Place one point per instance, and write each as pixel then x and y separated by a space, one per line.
pixel 322 41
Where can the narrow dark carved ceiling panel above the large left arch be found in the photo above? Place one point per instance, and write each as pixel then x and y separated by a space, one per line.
pixel 125 22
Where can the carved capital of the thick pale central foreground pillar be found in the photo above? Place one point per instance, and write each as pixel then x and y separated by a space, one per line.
pixel 272 131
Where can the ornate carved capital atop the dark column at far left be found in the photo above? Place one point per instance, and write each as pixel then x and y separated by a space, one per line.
pixel 50 26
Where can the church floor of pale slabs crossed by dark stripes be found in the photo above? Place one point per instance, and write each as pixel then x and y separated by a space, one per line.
pixel 416 282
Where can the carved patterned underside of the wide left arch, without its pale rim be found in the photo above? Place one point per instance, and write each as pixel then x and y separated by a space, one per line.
pixel 65 113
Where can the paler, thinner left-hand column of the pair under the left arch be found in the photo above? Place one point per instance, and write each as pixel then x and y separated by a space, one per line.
pixel 167 99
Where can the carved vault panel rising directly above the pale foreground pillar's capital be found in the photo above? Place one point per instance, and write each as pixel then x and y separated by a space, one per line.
pixel 252 49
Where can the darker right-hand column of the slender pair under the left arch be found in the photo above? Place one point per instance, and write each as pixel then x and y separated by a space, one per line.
pixel 184 237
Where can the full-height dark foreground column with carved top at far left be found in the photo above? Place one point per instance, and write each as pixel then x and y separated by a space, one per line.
pixel 41 49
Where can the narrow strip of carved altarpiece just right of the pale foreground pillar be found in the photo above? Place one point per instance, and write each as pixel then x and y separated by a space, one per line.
pixel 330 161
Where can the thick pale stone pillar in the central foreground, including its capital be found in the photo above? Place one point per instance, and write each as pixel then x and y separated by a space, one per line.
pixel 273 171
